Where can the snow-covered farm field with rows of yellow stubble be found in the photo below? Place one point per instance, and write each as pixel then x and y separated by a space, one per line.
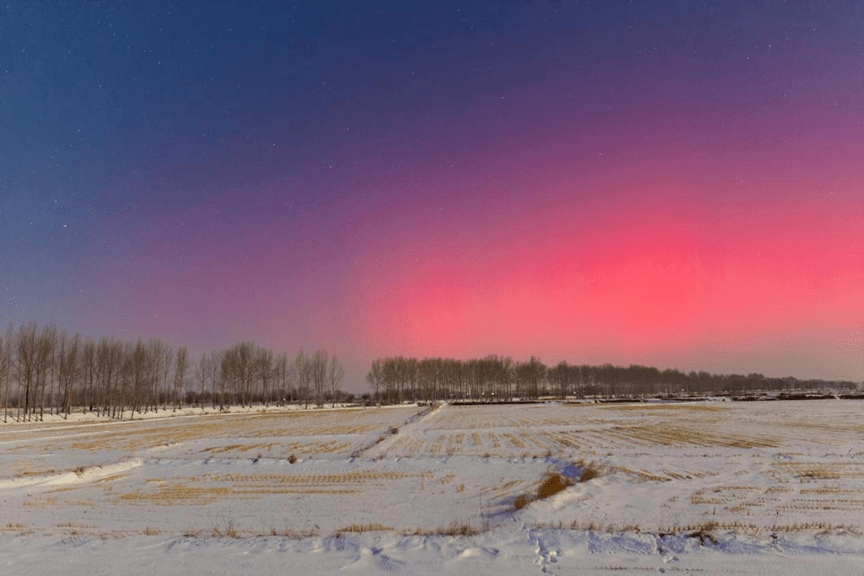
pixel 712 487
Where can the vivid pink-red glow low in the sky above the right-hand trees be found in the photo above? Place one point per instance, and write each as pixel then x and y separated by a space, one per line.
pixel 631 283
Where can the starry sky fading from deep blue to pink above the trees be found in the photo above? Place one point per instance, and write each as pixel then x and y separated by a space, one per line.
pixel 678 184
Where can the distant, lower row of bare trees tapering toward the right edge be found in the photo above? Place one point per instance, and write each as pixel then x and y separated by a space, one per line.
pixel 501 379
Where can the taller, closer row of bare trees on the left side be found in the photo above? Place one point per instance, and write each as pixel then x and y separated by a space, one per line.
pixel 43 369
